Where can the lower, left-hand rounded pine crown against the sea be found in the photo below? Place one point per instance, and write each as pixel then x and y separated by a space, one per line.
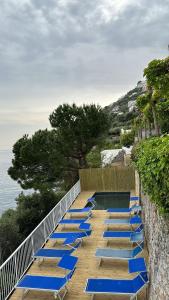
pixel 38 162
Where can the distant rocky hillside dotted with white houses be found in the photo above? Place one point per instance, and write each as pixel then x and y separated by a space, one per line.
pixel 123 111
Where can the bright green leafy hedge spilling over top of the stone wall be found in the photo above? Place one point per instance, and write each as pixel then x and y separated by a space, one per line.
pixel 151 158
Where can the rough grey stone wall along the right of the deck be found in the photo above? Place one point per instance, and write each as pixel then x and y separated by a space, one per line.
pixel 157 238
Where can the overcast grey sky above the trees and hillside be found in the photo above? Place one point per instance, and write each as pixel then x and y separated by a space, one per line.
pixel 55 51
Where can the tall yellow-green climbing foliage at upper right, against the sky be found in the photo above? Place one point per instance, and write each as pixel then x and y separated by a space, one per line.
pixel 153 107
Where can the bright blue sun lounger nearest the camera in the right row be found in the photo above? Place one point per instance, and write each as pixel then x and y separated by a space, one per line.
pixel 125 287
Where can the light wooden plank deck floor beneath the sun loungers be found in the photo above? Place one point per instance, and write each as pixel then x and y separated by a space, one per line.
pixel 87 265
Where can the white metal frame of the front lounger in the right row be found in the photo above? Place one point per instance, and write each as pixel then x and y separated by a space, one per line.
pixel 132 297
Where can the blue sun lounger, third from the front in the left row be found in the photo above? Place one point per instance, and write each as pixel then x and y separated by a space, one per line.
pixel 70 237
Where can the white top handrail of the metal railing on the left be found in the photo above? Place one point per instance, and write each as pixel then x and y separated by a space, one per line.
pixel 16 250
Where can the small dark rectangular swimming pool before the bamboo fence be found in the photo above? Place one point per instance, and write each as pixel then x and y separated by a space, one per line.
pixel 105 200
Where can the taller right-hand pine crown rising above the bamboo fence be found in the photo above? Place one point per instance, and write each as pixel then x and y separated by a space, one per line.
pixel 78 129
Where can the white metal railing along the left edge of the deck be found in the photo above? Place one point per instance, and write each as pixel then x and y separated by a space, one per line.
pixel 20 260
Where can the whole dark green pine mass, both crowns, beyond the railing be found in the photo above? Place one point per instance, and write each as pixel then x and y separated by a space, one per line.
pixel 49 158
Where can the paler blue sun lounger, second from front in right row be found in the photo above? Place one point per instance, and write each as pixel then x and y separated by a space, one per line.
pixel 119 254
